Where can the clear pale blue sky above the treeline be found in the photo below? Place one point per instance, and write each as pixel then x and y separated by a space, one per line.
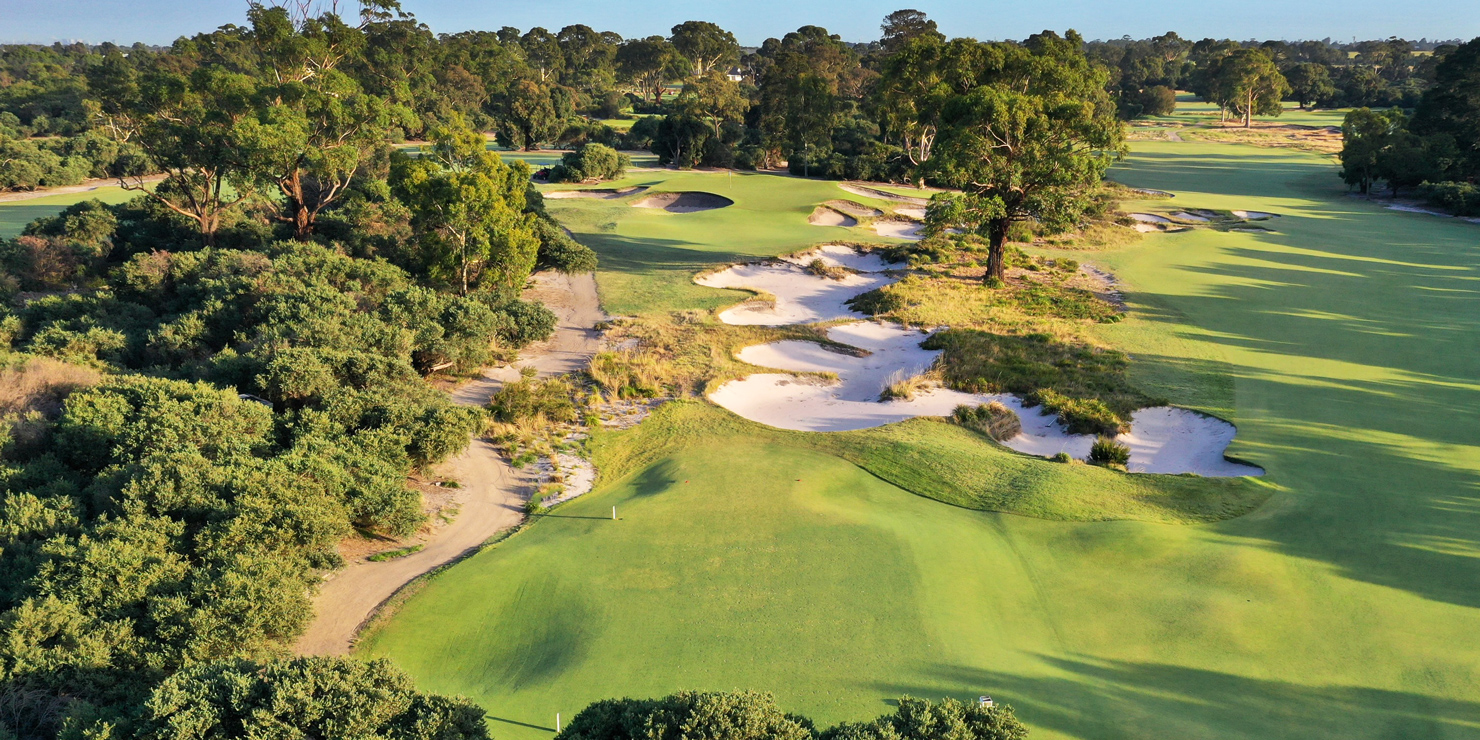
pixel 753 21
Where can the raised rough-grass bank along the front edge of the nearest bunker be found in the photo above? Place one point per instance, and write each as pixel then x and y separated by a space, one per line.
pixel 946 462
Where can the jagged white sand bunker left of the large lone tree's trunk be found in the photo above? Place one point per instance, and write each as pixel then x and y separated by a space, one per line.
pixel 798 297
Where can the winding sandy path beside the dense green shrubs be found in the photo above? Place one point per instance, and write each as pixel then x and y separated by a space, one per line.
pixel 492 497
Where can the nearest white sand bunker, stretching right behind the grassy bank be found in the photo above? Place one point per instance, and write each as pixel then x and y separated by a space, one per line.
pixel 1163 440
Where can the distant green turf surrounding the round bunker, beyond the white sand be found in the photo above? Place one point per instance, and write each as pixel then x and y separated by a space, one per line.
pixel 649 257
